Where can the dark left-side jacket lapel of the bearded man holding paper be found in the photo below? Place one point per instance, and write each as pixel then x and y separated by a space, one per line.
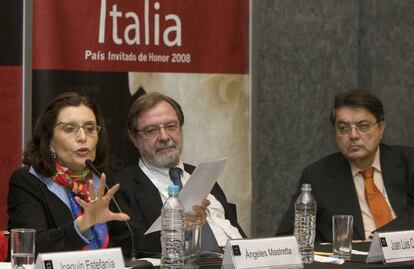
pixel 147 196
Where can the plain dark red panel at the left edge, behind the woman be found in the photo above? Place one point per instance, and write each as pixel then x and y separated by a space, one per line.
pixel 10 137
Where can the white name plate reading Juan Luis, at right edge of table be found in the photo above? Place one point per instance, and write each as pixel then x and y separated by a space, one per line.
pixel 392 247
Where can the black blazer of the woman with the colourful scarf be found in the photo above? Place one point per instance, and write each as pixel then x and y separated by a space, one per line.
pixel 32 205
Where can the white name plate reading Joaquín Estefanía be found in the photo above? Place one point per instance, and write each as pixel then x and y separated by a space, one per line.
pixel 110 258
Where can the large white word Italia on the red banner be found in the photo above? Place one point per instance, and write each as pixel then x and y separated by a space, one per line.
pixel 149 24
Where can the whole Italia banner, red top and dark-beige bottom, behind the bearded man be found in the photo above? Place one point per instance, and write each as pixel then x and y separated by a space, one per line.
pixel 196 51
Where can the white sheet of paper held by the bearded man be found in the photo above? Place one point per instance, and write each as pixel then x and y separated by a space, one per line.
pixel 197 187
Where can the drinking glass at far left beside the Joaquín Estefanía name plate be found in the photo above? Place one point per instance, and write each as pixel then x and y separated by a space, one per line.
pixel 22 248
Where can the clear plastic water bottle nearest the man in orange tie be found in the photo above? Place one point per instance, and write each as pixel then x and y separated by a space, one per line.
pixel 305 223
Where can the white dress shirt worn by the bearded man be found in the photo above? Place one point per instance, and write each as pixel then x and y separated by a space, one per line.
pixel 221 227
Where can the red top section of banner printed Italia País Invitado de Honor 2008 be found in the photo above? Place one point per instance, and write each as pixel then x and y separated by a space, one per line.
pixel 201 36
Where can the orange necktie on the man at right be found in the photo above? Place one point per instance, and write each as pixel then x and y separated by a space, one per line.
pixel 376 201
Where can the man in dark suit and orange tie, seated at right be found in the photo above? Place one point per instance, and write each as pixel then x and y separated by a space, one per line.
pixel 371 181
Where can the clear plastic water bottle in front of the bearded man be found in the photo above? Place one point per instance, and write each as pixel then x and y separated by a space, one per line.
pixel 172 230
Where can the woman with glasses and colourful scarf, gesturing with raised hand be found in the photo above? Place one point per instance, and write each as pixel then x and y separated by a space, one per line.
pixel 55 193
